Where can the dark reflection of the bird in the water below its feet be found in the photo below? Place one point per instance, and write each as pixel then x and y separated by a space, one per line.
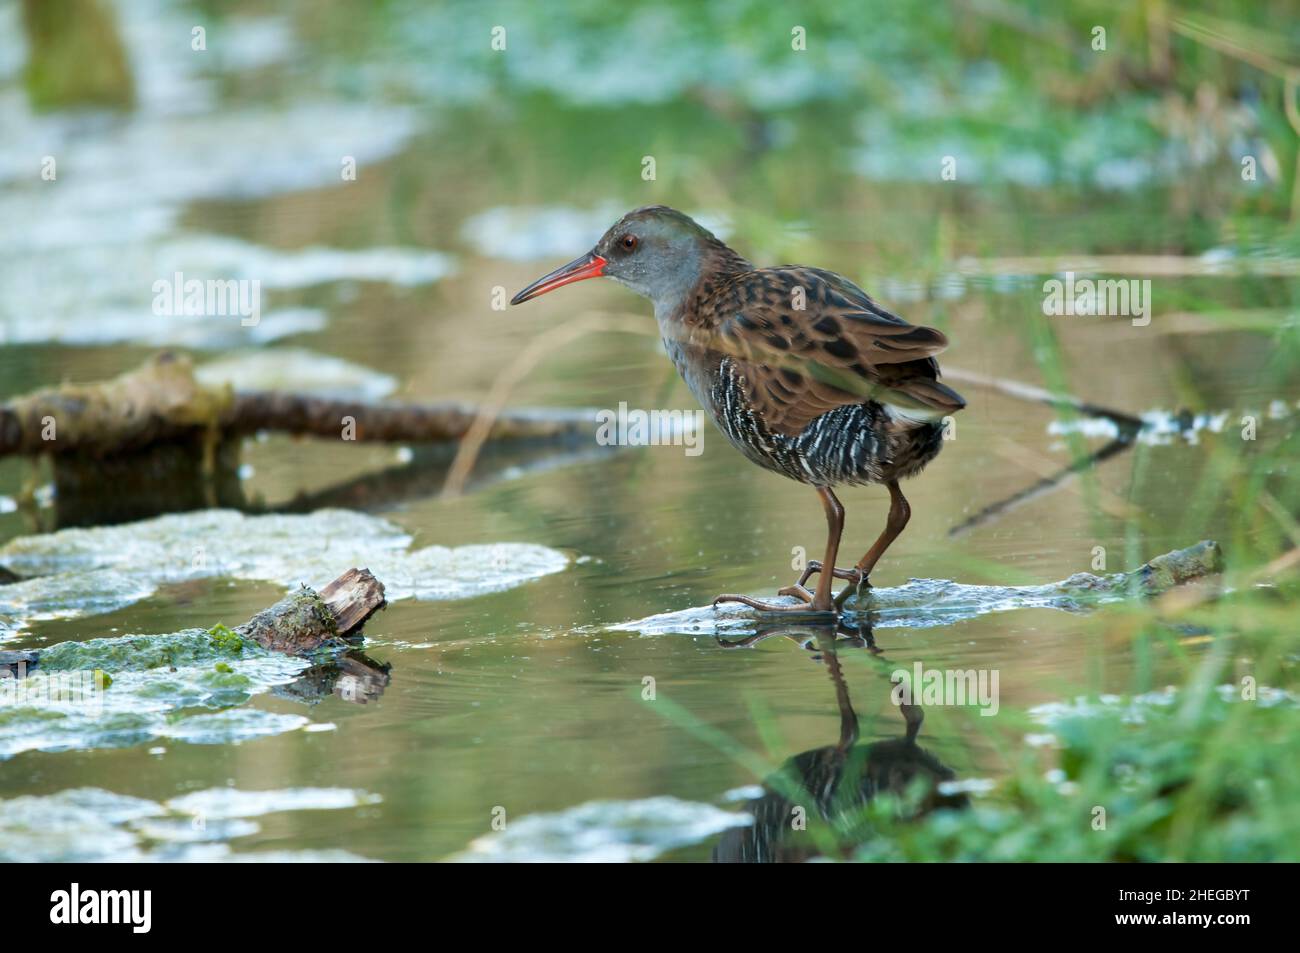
pixel 814 804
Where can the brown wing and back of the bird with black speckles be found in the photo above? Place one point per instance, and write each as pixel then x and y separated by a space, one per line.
pixel 840 348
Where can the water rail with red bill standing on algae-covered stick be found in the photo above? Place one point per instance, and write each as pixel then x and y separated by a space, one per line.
pixel 800 369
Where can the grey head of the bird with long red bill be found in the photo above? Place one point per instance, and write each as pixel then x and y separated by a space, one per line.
pixel 657 252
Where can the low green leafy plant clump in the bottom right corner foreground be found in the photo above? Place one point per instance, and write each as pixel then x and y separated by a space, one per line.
pixel 1189 779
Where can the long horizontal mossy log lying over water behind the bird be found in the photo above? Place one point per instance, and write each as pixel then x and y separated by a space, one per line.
pixel 163 402
